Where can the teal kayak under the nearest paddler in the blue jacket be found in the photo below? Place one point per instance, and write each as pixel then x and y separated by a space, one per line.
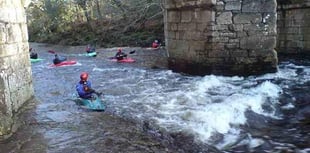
pixel 92 104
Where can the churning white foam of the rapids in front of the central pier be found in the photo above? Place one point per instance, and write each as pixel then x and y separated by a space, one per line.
pixel 206 107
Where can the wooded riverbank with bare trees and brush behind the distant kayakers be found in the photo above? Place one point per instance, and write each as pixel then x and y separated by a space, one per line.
pixel 102 23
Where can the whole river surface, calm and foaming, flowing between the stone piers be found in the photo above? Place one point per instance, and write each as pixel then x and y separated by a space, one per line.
pixel 174 112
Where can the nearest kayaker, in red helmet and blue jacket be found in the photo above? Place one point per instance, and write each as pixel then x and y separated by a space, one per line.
pixel 84 87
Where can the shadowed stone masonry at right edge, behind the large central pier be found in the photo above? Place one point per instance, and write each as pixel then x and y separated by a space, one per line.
pixel 294 28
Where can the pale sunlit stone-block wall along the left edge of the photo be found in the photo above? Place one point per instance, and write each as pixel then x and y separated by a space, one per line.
pixel 15 71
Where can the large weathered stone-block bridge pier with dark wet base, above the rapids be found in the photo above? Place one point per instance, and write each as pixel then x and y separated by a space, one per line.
pixel 225 37
